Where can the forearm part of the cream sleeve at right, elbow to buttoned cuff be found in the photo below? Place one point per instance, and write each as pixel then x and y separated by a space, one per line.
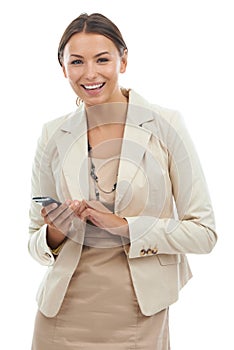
pixel 170 236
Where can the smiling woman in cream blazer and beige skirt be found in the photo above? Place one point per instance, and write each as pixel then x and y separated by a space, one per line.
pixel 133 202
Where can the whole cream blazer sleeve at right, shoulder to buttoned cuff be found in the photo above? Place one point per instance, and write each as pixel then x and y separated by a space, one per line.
pixel 192 227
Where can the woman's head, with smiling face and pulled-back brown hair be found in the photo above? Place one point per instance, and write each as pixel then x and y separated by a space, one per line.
pixel 92 58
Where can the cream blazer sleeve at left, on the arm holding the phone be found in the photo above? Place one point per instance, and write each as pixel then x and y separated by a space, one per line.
pixel 41 170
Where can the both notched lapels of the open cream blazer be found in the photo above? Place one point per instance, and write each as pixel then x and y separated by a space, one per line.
pixel 73 150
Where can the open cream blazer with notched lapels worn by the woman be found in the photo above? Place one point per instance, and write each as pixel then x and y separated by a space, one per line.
pixel 161 191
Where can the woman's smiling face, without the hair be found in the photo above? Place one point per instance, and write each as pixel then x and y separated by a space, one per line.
pixel 92 64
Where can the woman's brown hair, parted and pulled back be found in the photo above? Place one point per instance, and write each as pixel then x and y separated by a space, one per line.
pixel 94 23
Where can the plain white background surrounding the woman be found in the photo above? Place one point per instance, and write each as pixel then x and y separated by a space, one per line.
pixel 181 57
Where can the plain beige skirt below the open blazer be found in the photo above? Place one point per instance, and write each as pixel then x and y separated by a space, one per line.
pixel 100 310
